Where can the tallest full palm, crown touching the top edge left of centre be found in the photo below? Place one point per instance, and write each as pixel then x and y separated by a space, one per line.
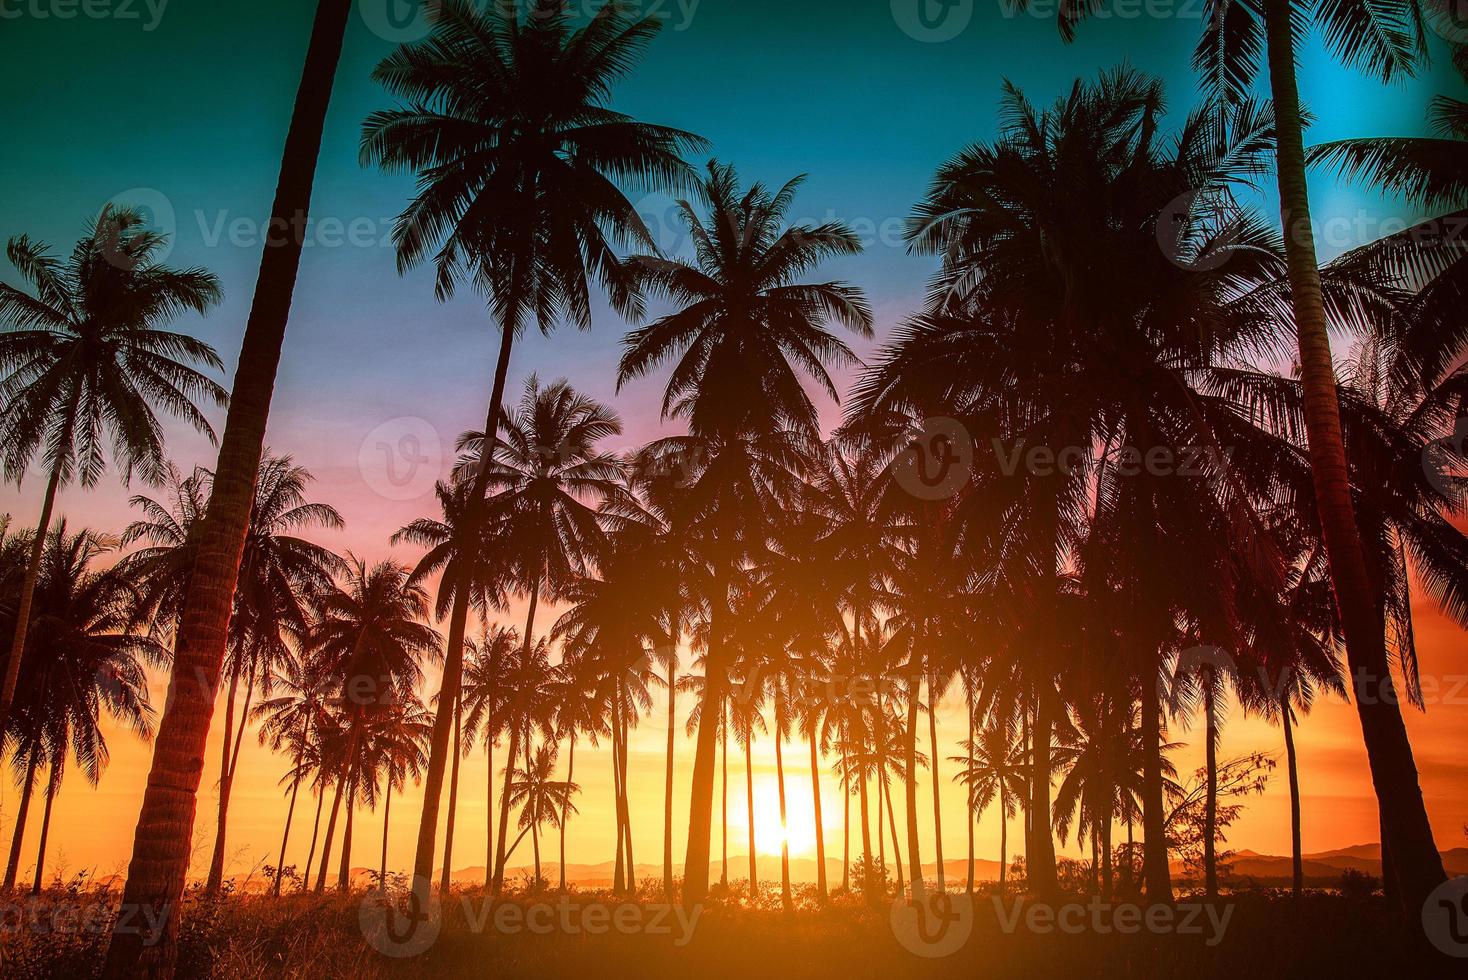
pixel 504 120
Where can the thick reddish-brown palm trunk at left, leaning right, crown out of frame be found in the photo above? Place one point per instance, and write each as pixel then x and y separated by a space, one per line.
pixel 167 822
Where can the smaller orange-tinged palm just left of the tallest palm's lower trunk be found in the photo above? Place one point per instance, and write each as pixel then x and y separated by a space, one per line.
pixel 372 640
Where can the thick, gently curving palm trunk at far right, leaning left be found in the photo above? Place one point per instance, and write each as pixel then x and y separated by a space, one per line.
pixel 1389 752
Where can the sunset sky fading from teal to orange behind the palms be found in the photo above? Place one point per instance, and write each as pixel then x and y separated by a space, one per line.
pixel 181 106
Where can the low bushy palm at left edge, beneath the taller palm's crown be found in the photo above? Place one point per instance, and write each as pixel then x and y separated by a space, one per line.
pixel 84 659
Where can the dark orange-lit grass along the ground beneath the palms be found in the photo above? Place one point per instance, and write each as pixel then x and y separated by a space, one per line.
pixel 64 934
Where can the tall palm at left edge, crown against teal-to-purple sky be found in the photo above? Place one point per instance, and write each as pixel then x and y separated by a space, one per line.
pixel 89 359
